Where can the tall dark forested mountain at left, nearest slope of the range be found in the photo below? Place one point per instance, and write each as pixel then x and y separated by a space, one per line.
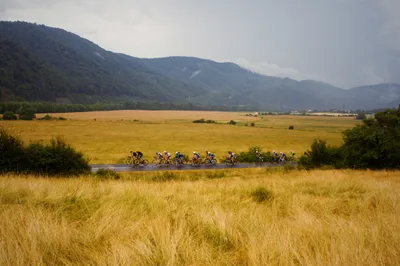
pixel 91 71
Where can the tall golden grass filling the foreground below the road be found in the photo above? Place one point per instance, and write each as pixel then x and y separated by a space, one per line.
pixel 313 218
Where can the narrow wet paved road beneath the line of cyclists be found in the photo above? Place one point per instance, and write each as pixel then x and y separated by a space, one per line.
pixel 150 167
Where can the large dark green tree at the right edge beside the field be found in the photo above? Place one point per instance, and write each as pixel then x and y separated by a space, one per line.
pixel 376 143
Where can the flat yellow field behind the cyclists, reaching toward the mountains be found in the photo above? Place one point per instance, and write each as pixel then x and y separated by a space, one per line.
pixel 107 137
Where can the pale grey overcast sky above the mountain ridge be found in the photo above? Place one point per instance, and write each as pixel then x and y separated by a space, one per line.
pixel 344 42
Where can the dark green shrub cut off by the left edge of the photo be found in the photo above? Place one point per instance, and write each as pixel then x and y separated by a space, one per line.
pixel 12 153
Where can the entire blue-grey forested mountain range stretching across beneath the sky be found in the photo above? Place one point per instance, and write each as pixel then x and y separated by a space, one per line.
pixel 43 63
